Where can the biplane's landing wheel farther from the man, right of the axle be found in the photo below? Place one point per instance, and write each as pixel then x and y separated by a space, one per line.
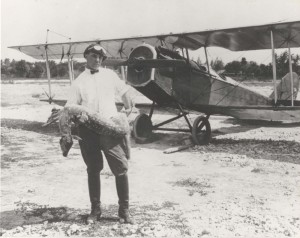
pixel 201 131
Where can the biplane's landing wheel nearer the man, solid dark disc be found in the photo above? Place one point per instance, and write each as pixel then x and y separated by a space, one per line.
pixel 142 128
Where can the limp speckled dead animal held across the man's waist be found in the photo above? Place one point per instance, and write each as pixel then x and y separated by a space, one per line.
pixel 116 126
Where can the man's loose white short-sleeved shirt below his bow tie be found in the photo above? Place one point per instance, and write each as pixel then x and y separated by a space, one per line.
pixel 97 91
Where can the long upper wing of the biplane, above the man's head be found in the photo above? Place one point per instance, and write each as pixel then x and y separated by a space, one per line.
pixel 286 34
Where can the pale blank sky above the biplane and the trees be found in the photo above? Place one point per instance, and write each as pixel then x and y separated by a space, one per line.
pixel 26 22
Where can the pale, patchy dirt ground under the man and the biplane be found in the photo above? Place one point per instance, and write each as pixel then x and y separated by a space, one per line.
pixel 246 183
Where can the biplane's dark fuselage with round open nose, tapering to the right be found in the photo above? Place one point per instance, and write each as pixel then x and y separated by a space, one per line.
pixel 199 89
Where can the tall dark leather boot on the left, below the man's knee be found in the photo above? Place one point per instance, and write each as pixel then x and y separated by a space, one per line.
pixel 94 184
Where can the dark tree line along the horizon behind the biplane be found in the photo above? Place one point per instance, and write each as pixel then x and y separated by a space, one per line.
pixel 242 68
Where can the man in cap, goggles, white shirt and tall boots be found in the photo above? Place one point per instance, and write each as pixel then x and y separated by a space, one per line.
pixel 95 89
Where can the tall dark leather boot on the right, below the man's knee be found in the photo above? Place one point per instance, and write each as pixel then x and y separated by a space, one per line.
pixel 123 194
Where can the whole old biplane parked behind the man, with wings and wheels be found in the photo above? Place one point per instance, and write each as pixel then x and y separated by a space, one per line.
pixel 161 69
